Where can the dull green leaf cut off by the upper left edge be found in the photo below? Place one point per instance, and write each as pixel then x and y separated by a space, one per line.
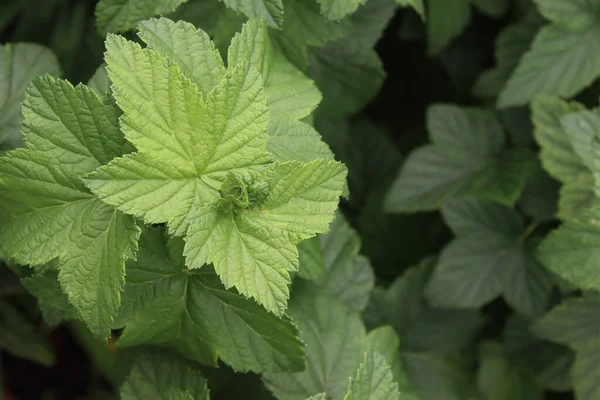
pixel 19 64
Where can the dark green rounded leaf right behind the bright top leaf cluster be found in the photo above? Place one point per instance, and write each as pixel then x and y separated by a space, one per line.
pixel 348 74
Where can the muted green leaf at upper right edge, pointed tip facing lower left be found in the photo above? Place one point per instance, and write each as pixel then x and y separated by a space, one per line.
pixel 558 64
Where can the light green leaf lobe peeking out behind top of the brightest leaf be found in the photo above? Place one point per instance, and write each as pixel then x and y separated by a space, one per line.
pixel 191 48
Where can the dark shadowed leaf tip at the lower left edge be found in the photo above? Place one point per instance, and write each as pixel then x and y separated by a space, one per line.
pixel 20 337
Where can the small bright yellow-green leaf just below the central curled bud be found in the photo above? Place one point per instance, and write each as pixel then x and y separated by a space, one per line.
pixel 260 249
